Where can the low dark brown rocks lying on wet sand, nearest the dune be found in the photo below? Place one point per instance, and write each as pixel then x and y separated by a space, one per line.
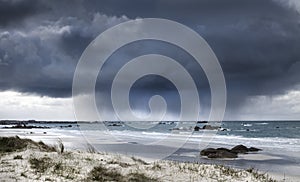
pixel 227 153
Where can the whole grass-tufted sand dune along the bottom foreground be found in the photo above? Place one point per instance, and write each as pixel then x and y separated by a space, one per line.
pixel 38 162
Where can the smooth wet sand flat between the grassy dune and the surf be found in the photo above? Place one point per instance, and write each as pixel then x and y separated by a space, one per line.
pixel 279 156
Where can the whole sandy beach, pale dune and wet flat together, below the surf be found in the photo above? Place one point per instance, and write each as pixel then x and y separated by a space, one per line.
pixel 184 165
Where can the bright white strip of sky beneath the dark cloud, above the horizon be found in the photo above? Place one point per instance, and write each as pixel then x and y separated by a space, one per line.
pixel 25 106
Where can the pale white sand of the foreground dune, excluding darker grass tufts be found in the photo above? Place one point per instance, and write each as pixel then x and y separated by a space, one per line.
pixel 76 165
